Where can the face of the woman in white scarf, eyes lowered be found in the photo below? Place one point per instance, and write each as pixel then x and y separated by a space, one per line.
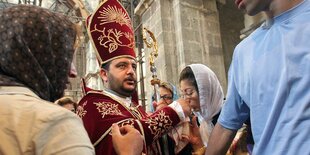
pixel 189 93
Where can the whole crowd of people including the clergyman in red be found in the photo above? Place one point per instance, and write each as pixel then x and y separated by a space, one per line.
pixel 268 89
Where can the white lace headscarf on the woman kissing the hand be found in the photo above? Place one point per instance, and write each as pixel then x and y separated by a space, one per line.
pixel 211 98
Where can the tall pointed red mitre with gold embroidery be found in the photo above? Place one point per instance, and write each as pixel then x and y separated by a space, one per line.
pixel 111 32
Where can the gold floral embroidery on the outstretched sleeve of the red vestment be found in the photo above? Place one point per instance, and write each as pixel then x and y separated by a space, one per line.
pixel 159 124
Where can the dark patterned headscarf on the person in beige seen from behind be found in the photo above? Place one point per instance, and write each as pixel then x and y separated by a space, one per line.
pixel 36 50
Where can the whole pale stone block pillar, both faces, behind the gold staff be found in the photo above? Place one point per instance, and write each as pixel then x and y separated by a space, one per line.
pixel 187 31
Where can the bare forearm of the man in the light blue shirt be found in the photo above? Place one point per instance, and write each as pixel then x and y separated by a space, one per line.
pixel 220 140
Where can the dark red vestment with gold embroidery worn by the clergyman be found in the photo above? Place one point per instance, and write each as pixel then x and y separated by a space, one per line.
pixel 99 110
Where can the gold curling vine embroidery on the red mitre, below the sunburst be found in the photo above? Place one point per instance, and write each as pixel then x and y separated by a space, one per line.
pixel 111 38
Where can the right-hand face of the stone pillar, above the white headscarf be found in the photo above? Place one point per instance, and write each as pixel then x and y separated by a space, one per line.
pixel 198 35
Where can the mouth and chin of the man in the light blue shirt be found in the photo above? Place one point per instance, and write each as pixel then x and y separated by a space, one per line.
pixel 252 7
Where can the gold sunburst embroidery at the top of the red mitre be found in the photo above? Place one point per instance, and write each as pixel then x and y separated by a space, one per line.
pixel 114 14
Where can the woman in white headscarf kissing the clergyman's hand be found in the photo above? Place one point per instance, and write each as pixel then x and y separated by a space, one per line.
pixel 201 88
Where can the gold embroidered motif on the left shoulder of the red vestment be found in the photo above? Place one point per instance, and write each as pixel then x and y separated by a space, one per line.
pixel 106 108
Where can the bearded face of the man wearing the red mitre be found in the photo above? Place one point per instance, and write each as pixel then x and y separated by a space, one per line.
pixel 121 76
